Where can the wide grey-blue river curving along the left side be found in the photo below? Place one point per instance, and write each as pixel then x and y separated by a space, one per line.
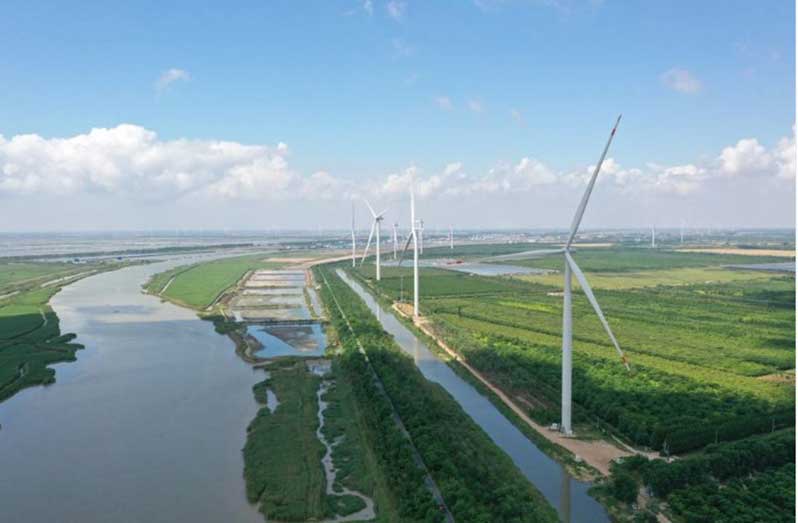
pixel 147 425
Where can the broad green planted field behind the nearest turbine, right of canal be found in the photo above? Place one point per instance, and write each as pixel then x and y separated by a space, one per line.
pixel 703 355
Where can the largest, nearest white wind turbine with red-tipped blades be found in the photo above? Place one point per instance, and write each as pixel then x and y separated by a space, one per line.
pixel 567 311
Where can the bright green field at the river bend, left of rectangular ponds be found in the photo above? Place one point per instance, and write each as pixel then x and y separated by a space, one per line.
pixel 198 286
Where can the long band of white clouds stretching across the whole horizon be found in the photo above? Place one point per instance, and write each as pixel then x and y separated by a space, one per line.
pixel 131 161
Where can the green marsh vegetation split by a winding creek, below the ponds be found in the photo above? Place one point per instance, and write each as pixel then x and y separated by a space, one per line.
pixel 282 455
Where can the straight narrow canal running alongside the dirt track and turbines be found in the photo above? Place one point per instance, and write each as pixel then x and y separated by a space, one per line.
pixel 568 495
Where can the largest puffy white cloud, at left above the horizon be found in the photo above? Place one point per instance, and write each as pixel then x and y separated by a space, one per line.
pixel 132 161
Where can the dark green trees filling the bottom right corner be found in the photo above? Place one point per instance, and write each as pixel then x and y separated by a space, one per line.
pixel 746 481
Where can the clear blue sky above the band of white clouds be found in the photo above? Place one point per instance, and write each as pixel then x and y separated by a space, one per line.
pixel 359 90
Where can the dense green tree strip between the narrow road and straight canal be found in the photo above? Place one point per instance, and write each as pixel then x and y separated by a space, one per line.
pixel 479 482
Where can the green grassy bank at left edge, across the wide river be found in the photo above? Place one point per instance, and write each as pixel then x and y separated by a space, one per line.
pixel 30 337
